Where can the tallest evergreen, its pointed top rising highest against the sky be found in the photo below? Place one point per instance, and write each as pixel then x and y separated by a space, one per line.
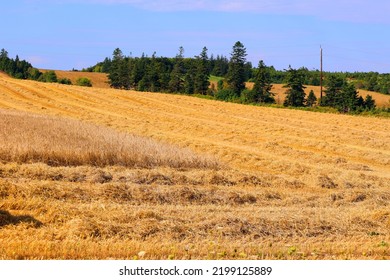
pixel 236 74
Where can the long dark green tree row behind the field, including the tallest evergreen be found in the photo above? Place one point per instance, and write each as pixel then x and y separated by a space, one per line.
pixel 192 76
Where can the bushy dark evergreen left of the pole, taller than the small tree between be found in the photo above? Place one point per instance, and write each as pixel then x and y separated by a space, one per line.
pixel 295 95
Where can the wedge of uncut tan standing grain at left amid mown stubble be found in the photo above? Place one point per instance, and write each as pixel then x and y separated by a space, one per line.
pixel 34 138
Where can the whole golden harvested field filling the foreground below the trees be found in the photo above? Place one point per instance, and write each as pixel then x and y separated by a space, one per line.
pixel 215 180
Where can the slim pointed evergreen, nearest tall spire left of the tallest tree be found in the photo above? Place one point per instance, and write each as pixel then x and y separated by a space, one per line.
pixel 202 76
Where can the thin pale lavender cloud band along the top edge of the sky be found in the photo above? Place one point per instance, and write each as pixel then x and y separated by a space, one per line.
pixel 375 11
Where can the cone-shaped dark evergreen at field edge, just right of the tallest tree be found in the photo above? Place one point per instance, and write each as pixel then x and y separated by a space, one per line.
pixel 263 86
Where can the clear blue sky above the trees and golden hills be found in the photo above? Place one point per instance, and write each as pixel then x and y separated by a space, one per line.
pixel 61 34
